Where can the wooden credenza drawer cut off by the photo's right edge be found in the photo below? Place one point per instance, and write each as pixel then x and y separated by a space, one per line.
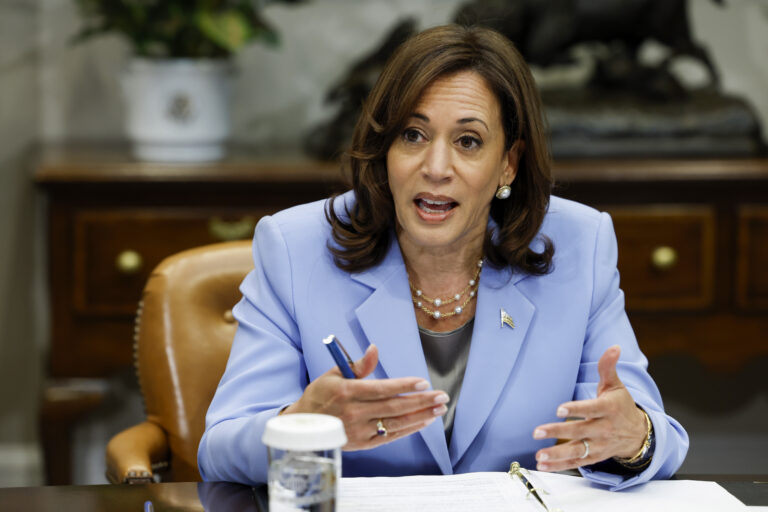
pixel 752 262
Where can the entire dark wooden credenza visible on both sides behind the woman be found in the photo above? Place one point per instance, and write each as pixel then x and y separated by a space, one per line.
pixel 693 243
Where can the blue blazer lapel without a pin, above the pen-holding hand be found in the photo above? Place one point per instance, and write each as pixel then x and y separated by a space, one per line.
pixel 387 318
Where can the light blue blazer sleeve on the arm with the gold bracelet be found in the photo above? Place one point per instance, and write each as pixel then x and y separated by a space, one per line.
pixel 608 325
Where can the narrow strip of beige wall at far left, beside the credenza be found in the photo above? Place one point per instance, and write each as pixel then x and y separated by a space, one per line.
pixel 19 274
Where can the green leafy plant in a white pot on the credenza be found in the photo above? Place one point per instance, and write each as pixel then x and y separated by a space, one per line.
pixel 177 85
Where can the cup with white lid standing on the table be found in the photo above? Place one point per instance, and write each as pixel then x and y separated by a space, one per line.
pixel 304 461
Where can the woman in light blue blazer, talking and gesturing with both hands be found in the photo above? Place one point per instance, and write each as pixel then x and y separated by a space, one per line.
pixel 447 264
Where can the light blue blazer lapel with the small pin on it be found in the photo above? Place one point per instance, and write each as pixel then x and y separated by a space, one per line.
pixel 492 355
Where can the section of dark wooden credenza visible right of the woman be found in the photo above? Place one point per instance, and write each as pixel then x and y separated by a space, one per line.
pixel 693 251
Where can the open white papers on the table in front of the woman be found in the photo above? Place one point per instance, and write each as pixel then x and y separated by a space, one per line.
pixel 491 492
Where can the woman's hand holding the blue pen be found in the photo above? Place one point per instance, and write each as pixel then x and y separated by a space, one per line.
pixel 403 404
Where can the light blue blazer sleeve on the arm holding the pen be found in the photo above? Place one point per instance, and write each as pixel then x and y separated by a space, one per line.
pixel 265 371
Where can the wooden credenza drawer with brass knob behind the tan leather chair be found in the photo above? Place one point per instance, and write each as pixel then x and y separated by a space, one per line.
pixel 115 250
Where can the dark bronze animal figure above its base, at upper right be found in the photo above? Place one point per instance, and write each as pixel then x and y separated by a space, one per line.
pixel 545 31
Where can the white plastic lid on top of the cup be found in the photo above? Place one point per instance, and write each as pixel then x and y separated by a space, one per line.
pixel 305 432
